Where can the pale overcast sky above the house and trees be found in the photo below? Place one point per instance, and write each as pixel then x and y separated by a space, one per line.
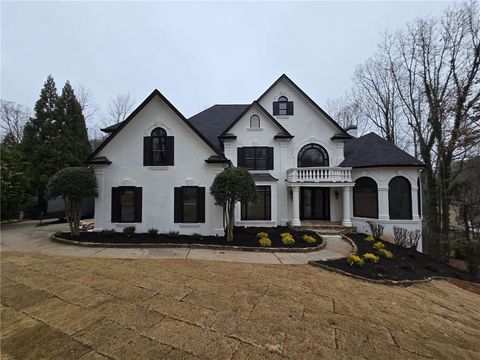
pixel 196 54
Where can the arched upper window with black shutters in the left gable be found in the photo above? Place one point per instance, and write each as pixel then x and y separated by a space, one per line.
pixel 158 148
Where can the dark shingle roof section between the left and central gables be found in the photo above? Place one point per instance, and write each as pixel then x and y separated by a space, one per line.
pixel 213 121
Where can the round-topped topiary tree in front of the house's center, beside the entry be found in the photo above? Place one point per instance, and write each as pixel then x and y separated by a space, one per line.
pixel 230 186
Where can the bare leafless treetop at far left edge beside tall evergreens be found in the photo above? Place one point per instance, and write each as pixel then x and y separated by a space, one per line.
pixel 13 119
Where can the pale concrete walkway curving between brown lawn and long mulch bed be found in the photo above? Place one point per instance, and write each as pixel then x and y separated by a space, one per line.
pixel 26 237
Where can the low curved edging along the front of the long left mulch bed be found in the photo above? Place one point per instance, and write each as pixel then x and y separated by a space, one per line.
pixel 60 240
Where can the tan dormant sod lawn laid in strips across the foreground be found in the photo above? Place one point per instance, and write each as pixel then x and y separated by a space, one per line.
pixel 93 308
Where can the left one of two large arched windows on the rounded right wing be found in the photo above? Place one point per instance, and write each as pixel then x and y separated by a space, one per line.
pixel 365 198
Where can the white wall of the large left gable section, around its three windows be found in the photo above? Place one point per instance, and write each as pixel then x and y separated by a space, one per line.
pixel 158 182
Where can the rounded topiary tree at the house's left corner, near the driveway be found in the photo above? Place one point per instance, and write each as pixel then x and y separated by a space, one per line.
pixel 73 184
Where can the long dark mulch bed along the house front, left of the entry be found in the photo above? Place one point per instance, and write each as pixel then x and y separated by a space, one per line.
pixel 242 237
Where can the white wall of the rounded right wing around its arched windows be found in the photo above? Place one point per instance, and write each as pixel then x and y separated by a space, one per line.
pixel 382 176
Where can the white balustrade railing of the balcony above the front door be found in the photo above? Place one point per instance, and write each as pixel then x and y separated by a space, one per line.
pixel 319 174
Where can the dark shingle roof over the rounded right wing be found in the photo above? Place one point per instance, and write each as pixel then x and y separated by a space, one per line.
pixel 371 150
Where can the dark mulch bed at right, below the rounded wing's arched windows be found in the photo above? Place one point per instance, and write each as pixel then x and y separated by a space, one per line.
pixel 407 264
